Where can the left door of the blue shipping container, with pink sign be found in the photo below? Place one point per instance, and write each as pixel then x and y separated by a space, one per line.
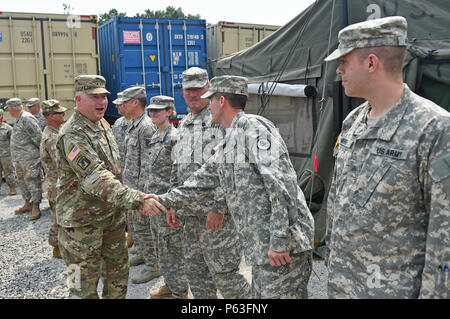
pixel 139 58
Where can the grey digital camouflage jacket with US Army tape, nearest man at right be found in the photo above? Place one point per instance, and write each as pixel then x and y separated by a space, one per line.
pixel 389 204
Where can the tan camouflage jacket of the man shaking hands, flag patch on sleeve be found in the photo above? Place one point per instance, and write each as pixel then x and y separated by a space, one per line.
pixel 89 174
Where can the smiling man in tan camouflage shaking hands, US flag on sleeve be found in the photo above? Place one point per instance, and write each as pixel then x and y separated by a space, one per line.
pixel 92 201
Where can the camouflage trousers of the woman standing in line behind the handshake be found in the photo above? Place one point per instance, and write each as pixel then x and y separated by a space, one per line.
pixel 171 256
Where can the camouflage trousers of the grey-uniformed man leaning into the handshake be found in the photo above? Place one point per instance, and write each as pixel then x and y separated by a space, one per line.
pixel 289 281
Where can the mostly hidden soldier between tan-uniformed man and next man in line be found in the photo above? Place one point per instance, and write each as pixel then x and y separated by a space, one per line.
pixel 119 130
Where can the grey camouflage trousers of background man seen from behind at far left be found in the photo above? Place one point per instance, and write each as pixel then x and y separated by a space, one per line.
pixel 29 180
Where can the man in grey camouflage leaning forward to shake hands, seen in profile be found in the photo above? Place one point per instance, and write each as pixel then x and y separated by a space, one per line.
pixel 253 169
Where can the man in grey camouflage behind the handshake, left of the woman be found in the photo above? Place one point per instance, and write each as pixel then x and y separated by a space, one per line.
pixel 140 129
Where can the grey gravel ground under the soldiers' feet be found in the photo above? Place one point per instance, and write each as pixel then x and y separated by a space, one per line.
pixel 28 271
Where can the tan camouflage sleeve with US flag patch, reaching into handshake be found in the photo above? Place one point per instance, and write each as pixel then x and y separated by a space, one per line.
pixel 95 179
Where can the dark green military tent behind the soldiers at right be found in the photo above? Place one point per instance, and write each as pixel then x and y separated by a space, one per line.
pixel 310 121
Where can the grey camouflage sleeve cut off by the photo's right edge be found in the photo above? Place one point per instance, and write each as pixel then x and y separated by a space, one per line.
pixel 436 185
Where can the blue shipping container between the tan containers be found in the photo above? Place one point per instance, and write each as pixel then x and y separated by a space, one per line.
pixel 151 53
